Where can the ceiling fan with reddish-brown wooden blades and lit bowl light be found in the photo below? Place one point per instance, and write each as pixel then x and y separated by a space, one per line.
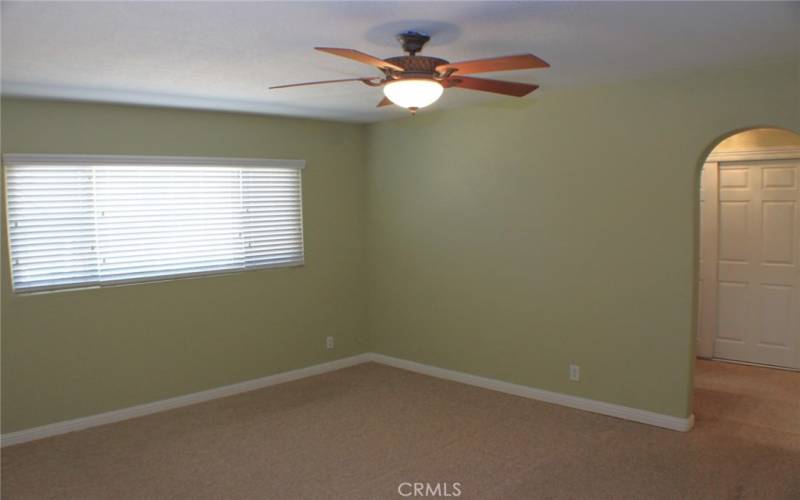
pixel 415 81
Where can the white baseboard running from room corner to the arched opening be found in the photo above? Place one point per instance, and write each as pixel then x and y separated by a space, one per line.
pixel 592 405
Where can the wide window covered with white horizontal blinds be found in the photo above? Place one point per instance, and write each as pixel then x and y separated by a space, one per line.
pixel 76 221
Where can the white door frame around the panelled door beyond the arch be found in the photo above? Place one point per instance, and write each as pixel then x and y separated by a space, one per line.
pixel 709 236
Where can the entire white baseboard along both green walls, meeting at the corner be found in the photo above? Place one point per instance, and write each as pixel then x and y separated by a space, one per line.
pixel 624 412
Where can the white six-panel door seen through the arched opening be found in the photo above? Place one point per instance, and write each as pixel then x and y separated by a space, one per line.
pixel 758 288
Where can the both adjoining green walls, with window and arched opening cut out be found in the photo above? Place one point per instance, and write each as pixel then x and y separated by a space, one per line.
pixel 508 241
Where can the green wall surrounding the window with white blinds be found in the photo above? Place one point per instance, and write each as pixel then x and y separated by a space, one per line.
pixel 76 353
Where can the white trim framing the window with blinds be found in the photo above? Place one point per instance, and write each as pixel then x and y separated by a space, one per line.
pixel 11 159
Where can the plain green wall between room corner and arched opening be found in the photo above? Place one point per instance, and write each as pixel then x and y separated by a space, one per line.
pixel 513 239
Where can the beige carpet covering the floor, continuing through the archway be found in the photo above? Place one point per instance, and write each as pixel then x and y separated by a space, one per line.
pixel 360 432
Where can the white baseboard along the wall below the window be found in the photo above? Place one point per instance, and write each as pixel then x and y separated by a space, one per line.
pixel 77 424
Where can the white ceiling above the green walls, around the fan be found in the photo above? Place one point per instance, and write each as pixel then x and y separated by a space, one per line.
pixel 224 55
